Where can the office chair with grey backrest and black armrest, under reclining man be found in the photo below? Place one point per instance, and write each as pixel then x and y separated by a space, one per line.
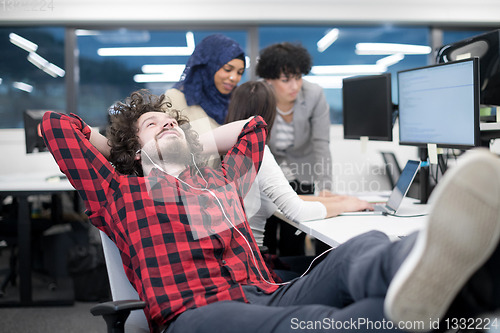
pixel 117 313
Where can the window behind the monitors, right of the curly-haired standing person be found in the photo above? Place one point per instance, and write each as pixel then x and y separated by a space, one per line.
pixel 345 50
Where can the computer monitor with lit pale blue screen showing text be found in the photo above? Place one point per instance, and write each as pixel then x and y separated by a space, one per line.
pixel 440 104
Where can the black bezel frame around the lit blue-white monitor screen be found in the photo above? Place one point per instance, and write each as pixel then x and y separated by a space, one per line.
pixel 475 61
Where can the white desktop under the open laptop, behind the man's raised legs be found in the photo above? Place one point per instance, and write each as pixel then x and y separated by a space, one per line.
pixel 337 230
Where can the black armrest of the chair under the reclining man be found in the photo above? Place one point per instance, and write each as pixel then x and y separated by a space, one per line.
pixel 115 313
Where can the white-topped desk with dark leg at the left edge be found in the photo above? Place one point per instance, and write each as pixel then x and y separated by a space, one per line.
pixel 21 186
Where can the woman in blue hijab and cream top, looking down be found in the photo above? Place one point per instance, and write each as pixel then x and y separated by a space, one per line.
pixel 211 74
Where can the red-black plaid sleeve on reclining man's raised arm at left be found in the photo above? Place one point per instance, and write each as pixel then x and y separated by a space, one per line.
pixel 67 138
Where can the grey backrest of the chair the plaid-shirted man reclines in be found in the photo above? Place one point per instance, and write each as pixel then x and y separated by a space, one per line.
pixel 121 289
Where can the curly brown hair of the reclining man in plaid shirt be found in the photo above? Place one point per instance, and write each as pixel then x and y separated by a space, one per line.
pixel 122 133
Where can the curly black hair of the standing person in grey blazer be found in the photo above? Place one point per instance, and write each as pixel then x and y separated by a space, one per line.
pixel 287 58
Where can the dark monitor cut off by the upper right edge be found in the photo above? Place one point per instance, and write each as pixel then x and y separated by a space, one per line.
pixel 487 47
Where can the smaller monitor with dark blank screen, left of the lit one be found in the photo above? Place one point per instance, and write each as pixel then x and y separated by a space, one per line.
pixel 368 108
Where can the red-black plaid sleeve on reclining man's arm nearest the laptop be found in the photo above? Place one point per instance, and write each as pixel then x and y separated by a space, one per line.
pixel 242 162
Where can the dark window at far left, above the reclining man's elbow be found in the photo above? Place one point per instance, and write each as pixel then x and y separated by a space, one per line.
pixel 31 72
